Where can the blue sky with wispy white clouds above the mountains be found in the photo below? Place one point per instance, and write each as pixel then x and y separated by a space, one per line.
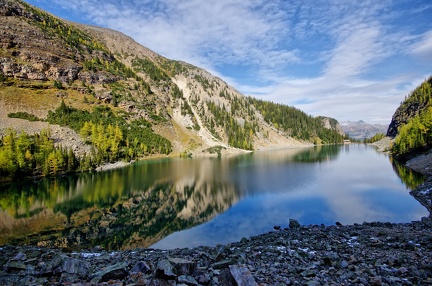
pixel 350 60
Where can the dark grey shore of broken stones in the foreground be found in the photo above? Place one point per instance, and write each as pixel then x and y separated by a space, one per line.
pixel 374 253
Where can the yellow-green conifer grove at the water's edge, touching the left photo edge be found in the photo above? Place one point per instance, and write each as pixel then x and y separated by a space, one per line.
pixel 24 155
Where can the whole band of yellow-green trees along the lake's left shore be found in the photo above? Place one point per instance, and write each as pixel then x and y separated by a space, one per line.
pixel 112 139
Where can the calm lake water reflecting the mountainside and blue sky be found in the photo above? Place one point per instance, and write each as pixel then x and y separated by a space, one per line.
pixel 189 202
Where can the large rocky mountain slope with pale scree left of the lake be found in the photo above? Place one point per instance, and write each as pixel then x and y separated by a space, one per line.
pixel 45 61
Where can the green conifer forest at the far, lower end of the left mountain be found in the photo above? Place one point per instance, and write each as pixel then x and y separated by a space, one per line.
pixel 296 123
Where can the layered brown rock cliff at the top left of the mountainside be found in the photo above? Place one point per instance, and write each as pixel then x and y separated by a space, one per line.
pixel 32 54
